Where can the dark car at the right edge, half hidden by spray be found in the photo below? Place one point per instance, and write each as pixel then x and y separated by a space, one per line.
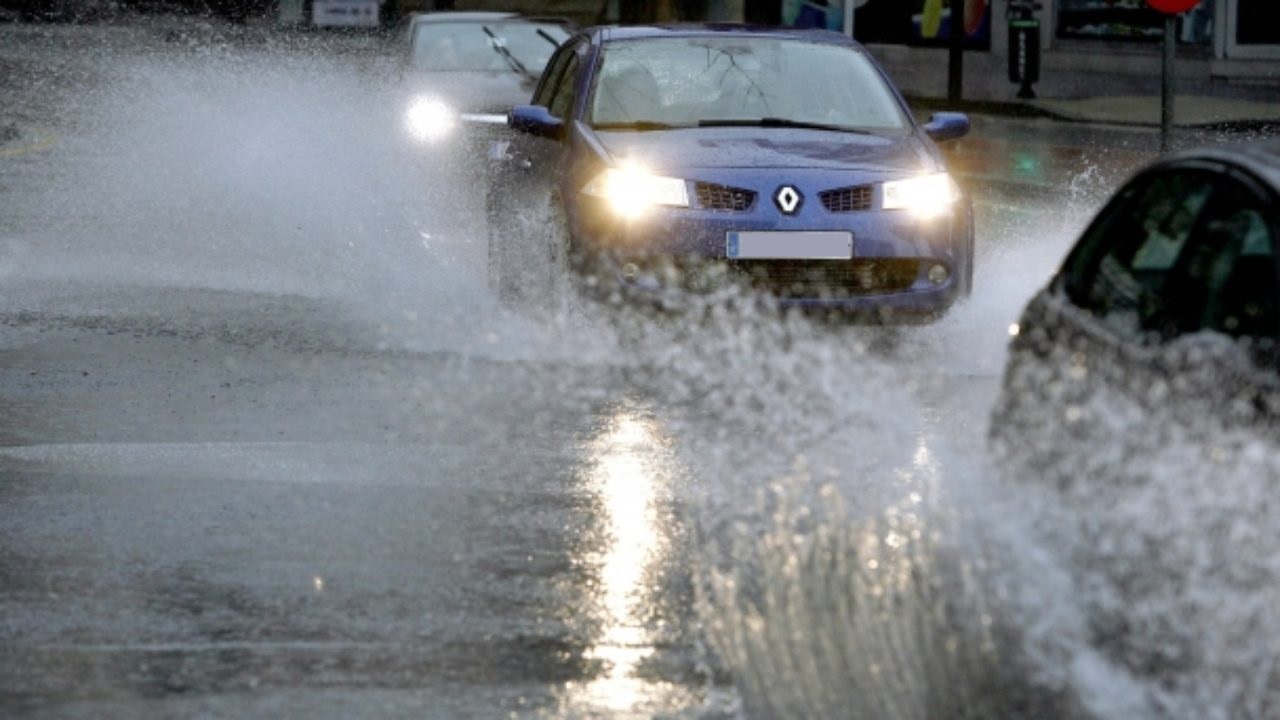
pixel 1163 317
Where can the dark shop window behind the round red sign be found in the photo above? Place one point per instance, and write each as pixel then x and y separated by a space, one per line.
pixel 1131 20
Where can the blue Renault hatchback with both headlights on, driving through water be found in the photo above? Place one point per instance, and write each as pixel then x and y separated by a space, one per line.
pixel 679 160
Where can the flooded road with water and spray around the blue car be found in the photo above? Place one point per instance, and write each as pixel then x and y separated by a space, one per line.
pixel 271 446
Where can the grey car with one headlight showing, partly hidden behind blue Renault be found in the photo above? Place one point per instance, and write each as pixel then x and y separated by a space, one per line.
pixel 468 71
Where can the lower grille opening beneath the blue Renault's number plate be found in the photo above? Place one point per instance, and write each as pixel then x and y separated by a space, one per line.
pixel 831 279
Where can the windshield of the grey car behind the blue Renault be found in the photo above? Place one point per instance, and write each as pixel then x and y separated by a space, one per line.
pixel 467 47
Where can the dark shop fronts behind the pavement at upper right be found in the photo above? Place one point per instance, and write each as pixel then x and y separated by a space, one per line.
pixel 1090 48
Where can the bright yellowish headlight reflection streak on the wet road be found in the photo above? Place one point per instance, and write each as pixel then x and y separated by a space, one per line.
pixel 630 473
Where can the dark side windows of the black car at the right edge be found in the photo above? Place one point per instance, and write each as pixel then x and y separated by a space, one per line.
pixel 1178 253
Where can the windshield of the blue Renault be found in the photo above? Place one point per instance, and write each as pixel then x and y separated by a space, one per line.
pixel 685 81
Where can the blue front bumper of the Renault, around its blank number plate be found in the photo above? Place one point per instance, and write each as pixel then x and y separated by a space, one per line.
pixel 900 263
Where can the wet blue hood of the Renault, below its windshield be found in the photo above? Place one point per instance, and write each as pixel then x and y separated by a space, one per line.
pixel 767 148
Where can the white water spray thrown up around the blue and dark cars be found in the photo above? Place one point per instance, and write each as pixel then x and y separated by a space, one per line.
pixel 849 563
